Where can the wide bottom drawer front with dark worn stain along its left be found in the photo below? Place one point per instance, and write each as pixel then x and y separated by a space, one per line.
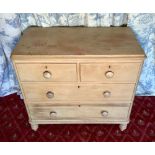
pixel 76 112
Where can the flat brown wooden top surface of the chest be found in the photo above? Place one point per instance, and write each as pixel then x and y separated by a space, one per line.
pixel 79 41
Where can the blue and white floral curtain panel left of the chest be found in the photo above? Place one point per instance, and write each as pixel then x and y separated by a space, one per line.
pixel 9 35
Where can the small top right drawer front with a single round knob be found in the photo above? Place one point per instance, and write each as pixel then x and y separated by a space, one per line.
pixel 109 72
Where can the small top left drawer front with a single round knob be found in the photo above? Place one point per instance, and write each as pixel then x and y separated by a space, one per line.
pixel 47 72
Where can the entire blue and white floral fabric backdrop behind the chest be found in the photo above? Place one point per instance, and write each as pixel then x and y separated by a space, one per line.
pixel 11 26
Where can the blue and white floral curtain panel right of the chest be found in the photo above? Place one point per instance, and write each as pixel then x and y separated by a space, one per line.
pixel 143 26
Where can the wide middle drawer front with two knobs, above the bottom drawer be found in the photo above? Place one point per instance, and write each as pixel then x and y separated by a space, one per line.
pixel 47 92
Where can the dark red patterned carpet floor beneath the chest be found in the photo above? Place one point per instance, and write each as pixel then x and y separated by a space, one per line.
pixel 14 125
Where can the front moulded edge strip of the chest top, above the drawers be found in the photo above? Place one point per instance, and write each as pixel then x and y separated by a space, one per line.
pixel 24 59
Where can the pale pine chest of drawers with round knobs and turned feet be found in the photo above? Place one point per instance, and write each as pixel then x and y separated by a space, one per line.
pixel 78 75
